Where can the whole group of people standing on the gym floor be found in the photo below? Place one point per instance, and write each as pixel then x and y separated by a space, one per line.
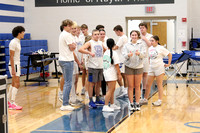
pixel 103 63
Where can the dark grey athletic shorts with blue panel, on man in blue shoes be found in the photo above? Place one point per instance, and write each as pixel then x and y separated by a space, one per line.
pixel 95 75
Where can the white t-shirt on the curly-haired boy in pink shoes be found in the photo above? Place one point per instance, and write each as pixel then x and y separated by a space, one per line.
pixel 15 46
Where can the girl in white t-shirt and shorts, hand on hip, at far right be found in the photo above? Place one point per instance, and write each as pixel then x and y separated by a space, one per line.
pixel 156 69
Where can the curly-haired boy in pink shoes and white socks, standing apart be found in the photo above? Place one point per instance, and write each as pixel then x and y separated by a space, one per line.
pixel 14 66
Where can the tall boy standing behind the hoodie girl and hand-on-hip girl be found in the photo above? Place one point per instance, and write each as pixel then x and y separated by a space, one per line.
pixel 146 39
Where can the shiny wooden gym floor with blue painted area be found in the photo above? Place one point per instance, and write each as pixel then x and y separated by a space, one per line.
pixel 41 113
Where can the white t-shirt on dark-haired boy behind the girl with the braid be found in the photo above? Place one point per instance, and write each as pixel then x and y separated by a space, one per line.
pixel 121 42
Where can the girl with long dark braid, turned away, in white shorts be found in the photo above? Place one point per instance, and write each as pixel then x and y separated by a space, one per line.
pixel 111 73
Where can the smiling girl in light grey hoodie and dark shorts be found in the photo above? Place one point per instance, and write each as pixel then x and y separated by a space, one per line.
pixel 134 53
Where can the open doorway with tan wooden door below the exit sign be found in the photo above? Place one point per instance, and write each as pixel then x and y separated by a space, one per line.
pixel 164 27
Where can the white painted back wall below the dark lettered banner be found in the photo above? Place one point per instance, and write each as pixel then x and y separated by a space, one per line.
pixel 44 22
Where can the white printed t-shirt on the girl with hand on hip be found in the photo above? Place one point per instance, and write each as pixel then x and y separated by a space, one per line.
pixel 156 55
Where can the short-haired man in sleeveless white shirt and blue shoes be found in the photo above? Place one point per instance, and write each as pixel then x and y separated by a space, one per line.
pixel 94 48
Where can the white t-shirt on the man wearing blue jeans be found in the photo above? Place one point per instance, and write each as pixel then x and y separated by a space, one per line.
pixel 65 54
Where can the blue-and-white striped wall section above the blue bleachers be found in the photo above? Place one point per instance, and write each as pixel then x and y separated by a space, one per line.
pixel 11 14
